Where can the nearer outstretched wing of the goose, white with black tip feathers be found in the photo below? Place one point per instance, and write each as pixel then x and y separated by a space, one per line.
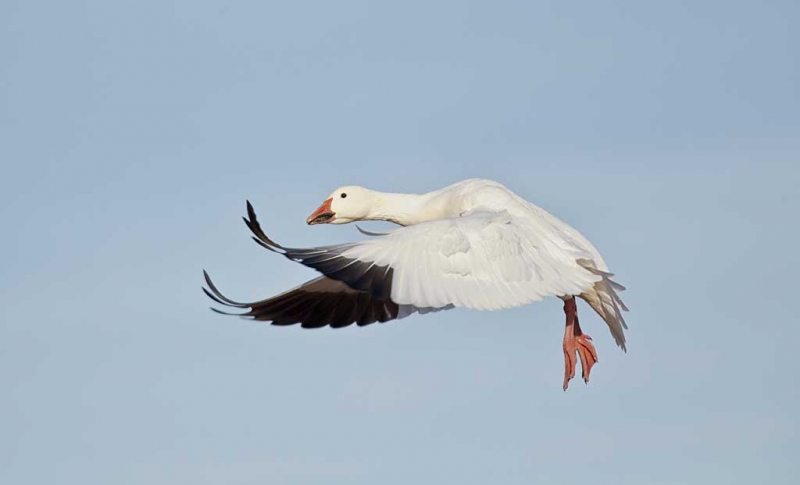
pixel 483 260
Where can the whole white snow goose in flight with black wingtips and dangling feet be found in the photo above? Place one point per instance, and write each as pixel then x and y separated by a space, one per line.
pixel 473 244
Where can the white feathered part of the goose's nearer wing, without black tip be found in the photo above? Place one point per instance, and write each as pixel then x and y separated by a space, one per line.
pixel 483 260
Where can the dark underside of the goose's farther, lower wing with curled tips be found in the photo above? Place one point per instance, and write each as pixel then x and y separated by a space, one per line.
pixel 317 303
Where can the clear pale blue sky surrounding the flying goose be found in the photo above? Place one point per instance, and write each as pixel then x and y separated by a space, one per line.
pixel 131 136
